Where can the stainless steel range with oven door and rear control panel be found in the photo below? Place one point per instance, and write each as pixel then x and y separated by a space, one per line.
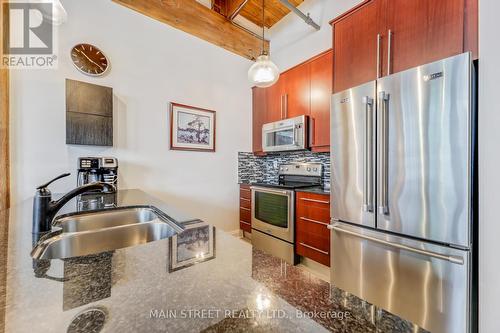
pixel 273 213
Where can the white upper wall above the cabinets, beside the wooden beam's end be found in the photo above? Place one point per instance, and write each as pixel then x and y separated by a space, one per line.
pixel 293 41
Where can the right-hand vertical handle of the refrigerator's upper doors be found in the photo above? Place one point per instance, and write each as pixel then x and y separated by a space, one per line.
pixel 383 99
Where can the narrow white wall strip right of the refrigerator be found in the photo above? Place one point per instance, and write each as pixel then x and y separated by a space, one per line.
pixel 489 166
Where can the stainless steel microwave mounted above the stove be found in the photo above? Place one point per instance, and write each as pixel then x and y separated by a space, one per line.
pixel 285 135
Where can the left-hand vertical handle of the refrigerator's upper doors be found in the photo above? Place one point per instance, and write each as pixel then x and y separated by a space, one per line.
pixel 368 156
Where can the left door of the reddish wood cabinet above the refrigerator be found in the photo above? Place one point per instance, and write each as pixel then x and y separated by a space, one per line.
pixel 355 45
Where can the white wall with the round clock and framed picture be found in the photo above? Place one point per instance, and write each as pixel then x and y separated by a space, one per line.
pixel 152 65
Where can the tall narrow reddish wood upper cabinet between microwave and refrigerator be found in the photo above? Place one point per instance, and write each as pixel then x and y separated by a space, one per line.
pixel 321 91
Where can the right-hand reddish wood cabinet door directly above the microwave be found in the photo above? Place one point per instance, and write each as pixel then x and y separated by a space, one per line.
pixel 297 98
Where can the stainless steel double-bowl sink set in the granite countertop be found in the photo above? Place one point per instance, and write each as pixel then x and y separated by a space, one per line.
pixel 95 232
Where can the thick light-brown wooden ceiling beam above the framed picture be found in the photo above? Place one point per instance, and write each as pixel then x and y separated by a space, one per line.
pixel 194 18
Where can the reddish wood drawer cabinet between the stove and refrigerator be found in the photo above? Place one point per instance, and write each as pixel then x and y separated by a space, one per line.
pixel 312 238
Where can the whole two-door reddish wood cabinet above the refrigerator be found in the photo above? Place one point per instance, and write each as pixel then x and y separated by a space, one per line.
pixel 407 33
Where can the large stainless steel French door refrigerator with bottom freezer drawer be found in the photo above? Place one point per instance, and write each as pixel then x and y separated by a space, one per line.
pixel 402 193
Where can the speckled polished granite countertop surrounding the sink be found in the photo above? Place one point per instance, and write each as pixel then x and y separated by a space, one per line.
pixel 203 280
